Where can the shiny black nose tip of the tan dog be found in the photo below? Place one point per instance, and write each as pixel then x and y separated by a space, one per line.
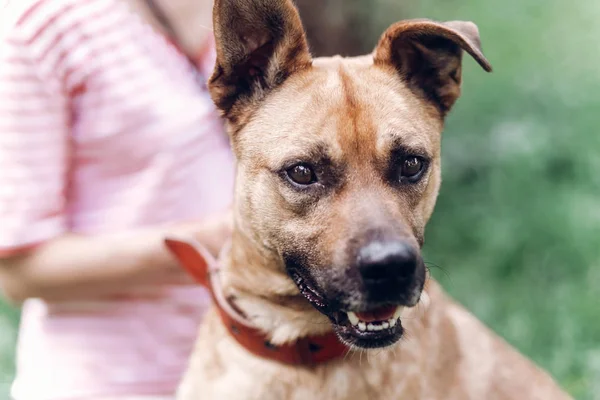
pixel 380 262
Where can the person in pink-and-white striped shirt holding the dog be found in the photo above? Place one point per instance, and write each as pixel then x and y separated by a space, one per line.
pixel 108 143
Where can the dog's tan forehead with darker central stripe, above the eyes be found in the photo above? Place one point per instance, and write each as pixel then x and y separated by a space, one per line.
pixel 347 106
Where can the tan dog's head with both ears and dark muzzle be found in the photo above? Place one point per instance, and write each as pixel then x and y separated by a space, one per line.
pixel 339 159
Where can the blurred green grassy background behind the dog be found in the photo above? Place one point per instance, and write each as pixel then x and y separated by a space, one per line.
pixel 517 225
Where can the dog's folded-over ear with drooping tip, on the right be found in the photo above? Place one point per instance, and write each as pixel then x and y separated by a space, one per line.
pixel 428 56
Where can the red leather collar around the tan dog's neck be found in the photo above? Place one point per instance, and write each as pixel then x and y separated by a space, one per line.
pixel 306 351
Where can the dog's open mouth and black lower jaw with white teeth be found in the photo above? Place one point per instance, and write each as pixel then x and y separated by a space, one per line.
pixel 367 328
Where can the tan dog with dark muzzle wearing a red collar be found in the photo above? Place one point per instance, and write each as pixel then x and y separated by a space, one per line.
pixel 338 170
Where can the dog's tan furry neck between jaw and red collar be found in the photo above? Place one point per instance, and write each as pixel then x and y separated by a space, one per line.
pixel 255 281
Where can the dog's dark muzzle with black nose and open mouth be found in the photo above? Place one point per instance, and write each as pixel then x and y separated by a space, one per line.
pixel 366 300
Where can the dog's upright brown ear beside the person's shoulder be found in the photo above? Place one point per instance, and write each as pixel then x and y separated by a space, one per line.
pixel 259 44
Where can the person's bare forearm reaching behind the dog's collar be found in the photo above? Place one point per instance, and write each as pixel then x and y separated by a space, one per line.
pixel 75 267
